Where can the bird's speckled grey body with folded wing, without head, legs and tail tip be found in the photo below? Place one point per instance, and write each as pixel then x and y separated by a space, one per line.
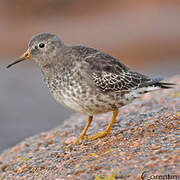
pixel 92 82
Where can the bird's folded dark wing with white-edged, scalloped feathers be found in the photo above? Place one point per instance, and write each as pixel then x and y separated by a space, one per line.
pixel 109 74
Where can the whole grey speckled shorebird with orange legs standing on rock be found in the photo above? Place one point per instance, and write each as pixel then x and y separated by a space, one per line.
pixel 85 79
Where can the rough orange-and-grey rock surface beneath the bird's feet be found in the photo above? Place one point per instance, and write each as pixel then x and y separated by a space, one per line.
pixel 143 144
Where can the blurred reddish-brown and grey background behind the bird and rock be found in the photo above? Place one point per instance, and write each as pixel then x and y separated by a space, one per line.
pixel 145 35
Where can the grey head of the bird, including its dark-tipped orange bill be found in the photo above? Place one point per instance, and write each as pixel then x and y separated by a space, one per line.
pixel 42 48
